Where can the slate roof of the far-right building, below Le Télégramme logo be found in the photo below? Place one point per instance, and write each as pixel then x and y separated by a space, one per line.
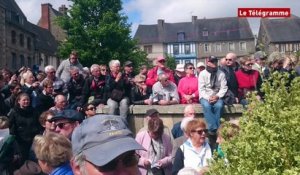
pixel 282 30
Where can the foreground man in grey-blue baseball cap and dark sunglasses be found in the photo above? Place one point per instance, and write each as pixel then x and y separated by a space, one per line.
pixel 103 145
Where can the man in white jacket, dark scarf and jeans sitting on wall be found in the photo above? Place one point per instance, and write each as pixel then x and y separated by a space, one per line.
pixel 212 86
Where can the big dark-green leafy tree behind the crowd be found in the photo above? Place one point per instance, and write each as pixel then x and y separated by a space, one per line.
pixel 99 32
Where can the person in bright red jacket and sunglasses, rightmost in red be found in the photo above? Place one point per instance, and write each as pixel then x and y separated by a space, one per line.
pixel 248 80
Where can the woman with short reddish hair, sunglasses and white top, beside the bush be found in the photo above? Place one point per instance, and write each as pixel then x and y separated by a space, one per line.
pixel 195 151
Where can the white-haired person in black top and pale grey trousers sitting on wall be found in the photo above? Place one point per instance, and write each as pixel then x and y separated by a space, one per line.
pixel 119 97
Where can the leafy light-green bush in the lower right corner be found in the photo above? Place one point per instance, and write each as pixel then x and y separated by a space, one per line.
pixel 268 142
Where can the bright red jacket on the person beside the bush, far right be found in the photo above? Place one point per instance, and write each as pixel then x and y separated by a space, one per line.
pixel 247 82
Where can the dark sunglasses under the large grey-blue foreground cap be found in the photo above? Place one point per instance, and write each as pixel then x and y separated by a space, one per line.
pixel 128 159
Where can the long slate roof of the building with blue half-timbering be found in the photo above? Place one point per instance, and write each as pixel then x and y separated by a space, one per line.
pixel 219 29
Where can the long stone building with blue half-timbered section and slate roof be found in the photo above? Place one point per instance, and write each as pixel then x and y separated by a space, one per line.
pixel 195 40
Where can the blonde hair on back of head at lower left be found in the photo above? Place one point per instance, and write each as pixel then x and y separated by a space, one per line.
pixel 53 148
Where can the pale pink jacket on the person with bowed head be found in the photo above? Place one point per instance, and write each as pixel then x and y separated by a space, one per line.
pixel 144 139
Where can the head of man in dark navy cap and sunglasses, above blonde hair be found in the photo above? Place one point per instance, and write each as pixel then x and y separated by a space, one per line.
pixel 66 121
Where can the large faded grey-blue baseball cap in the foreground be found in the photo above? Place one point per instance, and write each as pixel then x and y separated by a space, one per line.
pixel 105 135
